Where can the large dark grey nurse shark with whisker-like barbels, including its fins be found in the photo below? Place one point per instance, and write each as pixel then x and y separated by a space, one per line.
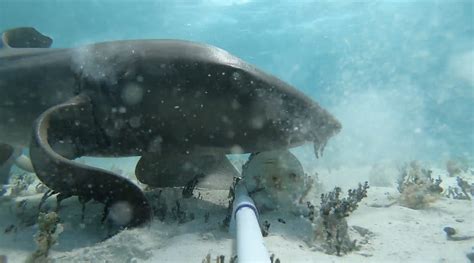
pixel 179 105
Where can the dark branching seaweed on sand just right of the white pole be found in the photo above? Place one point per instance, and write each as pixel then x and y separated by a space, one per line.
pixel 330 227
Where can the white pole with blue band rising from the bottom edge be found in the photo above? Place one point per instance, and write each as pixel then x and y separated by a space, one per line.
pixel 244 222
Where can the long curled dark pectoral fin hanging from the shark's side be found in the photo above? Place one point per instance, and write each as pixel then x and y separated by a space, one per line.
pixel 67 131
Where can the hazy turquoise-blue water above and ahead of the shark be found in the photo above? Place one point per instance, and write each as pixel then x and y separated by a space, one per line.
pixel 399 75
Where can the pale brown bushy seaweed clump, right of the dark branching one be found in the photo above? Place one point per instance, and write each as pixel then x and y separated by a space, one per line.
pixel 417 187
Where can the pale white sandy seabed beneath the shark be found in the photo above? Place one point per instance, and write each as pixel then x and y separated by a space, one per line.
pixel 399 234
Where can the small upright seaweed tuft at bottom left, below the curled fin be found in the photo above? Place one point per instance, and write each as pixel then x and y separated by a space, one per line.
pixel 49 229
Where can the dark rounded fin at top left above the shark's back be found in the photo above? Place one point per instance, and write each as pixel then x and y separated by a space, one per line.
pixel 25 37
